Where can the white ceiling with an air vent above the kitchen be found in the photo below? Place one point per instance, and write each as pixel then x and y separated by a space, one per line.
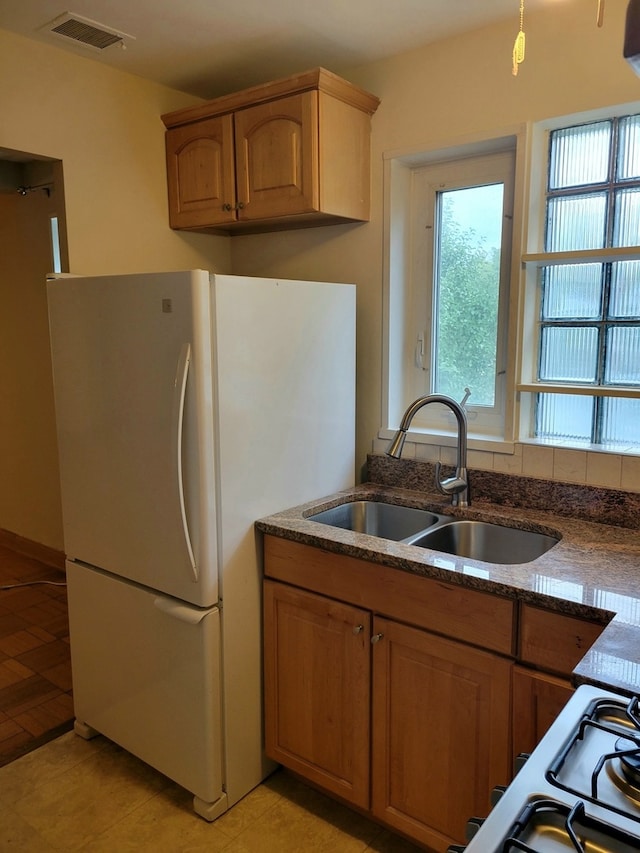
pixel 212 47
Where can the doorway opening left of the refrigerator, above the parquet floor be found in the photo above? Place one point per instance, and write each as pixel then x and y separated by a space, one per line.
pixel 33 243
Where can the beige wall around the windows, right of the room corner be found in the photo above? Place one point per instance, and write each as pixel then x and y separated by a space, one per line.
pixel 442 93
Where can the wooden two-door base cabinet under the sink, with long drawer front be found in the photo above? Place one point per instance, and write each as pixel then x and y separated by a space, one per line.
pixel 439 708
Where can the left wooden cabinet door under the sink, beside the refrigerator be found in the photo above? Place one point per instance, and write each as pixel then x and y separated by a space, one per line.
pixel 317 693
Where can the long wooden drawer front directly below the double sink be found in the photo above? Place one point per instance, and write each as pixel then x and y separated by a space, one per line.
pixel 468 615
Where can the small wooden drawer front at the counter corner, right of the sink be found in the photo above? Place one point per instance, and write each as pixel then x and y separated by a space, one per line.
pixel 553 641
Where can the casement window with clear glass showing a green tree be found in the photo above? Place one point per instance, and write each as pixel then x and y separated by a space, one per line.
pixel 461 241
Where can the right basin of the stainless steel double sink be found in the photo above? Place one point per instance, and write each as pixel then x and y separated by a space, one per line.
pixel 480 540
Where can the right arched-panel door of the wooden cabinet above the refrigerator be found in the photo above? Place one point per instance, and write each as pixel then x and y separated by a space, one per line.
pixel 277 157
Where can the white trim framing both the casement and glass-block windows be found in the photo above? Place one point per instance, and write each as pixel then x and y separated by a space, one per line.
pixel 530 142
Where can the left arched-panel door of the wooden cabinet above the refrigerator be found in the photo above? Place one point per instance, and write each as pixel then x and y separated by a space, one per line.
pixel 200 173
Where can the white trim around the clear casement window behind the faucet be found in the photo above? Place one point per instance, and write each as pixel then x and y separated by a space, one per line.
pixel 398 341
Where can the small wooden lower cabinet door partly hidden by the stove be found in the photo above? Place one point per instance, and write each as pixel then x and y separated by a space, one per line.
pixel 538 698
